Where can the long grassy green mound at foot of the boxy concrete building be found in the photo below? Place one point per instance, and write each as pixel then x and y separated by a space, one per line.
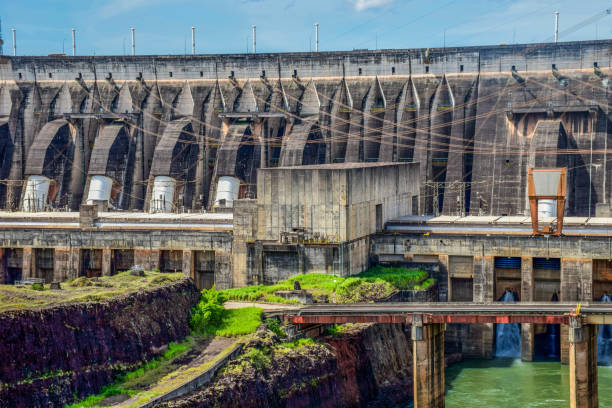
pixel 374 284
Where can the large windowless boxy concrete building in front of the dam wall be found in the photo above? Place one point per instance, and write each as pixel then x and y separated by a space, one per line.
pixel 320 218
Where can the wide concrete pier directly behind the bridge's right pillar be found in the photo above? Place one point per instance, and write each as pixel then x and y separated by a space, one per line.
pixel 576 285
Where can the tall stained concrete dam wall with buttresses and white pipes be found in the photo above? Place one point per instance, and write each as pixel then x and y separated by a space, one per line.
pixel 156 133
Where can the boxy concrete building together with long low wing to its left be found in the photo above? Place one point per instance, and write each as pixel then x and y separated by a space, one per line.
pixel 305 219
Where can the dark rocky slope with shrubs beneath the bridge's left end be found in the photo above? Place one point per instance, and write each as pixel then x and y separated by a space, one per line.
pixel 365 366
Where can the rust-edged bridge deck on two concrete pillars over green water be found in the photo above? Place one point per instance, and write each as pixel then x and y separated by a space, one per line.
pixel 428 324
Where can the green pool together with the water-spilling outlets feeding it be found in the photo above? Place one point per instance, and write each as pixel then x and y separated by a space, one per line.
pixel 508 382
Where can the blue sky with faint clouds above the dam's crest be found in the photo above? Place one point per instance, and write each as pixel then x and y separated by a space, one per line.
pixel 224 26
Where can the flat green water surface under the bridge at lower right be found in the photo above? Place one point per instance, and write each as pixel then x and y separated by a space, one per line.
pixel 509 383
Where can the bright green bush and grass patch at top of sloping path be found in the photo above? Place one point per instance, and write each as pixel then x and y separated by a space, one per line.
pixel 210 318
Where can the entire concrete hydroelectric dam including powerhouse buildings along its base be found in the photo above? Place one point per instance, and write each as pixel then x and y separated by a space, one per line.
pixel 248 169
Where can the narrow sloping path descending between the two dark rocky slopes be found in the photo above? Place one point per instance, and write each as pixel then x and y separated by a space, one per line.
pixel 180 379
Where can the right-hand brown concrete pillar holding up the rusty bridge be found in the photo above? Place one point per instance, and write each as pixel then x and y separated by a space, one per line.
pixel 583 364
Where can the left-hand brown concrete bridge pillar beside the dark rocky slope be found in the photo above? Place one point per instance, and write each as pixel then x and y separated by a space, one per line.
pixel 428 360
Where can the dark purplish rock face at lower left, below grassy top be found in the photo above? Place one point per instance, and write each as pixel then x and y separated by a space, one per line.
pixel 50 355
